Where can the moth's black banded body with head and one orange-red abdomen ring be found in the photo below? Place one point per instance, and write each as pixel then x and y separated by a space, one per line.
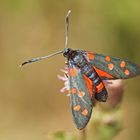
pixel 76 57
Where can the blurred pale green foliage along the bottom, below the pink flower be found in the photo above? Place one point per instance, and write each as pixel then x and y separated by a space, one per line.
pixel 105 125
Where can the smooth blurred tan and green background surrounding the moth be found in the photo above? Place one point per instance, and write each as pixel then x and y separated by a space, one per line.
pixel 30 102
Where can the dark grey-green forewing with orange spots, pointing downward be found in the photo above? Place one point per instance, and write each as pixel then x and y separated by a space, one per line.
pixel 80 99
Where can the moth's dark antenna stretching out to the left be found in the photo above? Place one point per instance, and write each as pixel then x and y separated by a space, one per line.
pixel 40 58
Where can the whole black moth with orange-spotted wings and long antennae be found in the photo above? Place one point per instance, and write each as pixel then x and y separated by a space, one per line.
pixel 86 70
